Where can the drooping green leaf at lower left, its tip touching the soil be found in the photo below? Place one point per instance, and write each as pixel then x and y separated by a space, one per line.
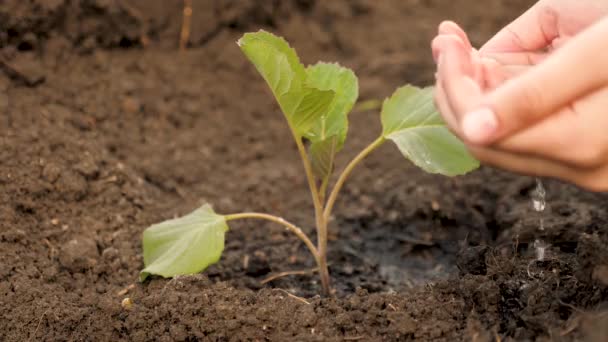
pixel 185 245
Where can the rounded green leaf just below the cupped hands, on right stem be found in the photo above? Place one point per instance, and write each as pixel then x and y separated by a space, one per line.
pixel 409 119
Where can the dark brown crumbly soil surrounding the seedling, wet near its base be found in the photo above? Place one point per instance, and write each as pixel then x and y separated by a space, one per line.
pixel 107 128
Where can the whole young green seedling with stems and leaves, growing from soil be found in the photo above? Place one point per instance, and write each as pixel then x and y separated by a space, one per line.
pixel 316 101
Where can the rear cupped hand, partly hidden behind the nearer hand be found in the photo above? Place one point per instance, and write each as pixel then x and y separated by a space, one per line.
pixel 527 40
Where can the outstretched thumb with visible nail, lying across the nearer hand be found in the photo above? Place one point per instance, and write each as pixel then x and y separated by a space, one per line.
pixel 576 69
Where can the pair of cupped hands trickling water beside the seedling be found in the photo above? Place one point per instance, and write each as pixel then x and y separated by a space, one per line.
pixel 533 99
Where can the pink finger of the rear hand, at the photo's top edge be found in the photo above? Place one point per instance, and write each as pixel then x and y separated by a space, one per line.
pixel 534 30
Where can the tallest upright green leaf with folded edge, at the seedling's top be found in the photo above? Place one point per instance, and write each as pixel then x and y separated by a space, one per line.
pixel 280 66
